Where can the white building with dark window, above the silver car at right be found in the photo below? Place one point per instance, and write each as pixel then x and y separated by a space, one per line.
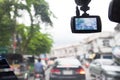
pixel 101 43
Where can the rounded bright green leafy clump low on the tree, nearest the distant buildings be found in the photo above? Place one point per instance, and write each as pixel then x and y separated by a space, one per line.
pixel 41 43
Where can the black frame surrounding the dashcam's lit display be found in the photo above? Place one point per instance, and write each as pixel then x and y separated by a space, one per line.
pixel 73 26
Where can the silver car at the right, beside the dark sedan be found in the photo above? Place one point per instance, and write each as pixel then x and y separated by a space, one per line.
pixel 104 69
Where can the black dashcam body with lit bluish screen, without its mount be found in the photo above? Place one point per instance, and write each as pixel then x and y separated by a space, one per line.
pixel 85 24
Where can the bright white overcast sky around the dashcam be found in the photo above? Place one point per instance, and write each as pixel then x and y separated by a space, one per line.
pixel 65 9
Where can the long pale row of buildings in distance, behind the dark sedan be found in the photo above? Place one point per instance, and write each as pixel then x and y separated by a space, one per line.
pixel 70 50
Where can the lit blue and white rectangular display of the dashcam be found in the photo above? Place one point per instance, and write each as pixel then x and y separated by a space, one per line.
pixel 85 24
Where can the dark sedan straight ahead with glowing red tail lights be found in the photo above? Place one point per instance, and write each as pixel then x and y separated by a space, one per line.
pixel 67 69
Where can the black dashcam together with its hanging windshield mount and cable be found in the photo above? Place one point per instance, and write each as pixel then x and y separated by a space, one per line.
pixel 79 23
